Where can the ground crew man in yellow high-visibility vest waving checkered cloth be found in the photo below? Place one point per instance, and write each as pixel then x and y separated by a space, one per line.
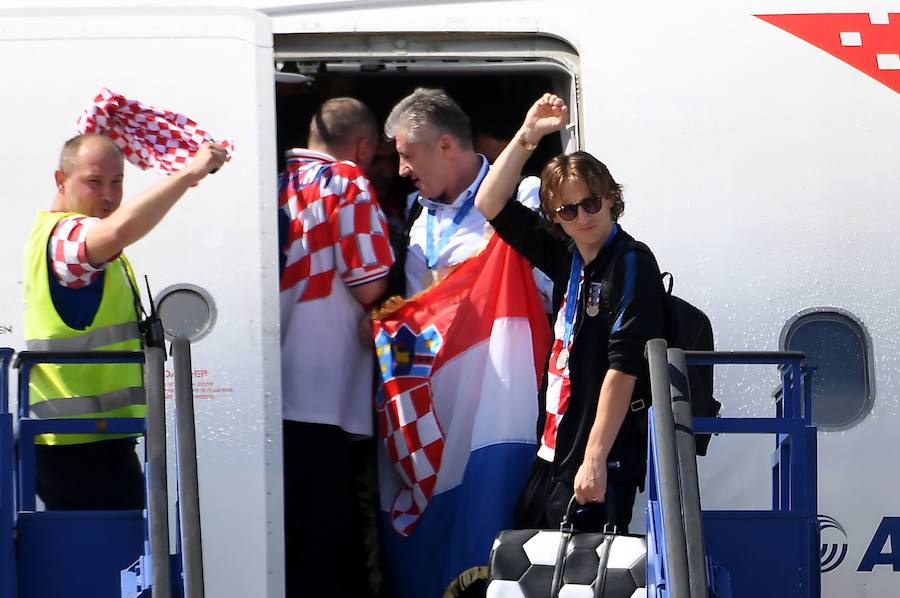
pixel 80 294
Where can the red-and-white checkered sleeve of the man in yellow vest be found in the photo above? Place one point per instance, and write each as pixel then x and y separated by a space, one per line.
pixel 68 252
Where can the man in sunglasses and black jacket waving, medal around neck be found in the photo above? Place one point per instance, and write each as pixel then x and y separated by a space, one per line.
pixel 607 303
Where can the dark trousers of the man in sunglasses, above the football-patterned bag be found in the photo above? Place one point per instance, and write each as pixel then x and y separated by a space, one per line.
pixel 542 503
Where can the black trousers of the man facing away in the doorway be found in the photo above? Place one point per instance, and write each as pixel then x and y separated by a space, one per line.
pixel 324 554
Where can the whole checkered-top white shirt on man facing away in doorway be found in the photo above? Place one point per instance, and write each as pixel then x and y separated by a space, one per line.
pixel 333 237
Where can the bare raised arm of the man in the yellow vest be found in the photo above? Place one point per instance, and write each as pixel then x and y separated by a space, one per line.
pixel 137 217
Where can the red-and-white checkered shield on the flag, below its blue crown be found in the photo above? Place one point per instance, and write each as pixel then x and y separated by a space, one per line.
pixel 414 441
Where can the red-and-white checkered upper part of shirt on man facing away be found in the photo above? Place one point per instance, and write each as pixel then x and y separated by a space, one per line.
pixel 333 224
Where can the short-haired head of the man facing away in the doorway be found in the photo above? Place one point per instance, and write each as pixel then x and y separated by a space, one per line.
pixel 338 126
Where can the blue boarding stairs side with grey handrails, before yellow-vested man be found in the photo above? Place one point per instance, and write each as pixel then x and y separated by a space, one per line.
pixel 100 554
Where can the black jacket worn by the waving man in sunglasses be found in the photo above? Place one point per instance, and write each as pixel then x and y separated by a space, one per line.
pixel 614 338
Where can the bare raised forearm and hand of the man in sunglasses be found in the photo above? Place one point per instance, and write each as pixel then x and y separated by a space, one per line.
pixel 547 115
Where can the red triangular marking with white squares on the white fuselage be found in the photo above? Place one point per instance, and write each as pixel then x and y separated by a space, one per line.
pixel 869 42
